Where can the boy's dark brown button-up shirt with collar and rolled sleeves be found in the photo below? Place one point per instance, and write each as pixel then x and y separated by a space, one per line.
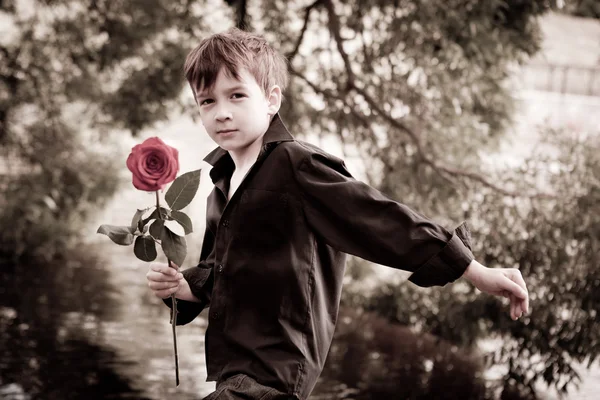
pixel 273 259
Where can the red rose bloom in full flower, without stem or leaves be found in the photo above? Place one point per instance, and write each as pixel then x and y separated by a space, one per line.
pixel 153 164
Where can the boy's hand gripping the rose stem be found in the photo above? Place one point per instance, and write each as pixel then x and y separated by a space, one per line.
pixel 165 280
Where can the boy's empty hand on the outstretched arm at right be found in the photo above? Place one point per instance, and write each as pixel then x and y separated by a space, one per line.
pixel 506 282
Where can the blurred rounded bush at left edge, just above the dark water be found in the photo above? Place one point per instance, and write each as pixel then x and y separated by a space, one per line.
pixel 54 190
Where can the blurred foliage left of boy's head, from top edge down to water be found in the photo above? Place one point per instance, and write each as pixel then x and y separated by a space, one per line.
pixel 72 74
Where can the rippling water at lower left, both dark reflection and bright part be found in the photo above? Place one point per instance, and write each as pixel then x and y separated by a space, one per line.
pixel 85 327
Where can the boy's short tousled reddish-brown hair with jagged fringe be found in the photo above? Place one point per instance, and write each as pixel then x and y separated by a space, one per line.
pixel 232 50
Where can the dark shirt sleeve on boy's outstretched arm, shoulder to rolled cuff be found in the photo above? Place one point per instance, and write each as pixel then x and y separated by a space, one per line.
pixel 357 219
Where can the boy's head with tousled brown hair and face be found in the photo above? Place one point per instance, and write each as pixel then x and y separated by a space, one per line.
pixel 237 80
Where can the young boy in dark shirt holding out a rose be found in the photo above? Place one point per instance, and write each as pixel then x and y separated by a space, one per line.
pixel 280 219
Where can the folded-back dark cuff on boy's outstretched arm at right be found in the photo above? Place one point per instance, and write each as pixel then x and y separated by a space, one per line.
pixel 449 264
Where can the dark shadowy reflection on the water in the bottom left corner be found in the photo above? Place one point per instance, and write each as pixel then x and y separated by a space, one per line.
pixel 47 313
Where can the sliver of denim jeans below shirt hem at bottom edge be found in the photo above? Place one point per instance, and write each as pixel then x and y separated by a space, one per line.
pixel 243 387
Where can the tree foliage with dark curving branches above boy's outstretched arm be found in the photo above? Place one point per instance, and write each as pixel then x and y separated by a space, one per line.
pixel 418 87
